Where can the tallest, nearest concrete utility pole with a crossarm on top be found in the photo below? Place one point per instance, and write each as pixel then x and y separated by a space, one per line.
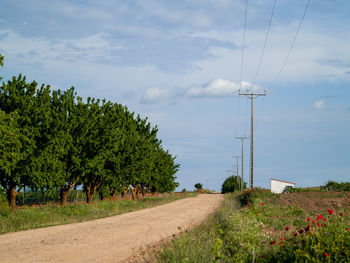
pixel 252 96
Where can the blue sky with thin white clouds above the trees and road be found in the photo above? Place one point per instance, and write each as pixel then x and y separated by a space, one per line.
pixel 180 64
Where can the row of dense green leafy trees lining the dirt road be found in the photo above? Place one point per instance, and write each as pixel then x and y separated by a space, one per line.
pixel 52 140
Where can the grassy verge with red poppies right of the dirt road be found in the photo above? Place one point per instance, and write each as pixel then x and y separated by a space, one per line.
pixel 257 227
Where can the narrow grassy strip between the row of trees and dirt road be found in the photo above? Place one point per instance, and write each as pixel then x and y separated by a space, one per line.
pixel 52 214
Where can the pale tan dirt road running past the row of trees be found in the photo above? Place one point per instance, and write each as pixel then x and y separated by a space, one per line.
pixel 112 239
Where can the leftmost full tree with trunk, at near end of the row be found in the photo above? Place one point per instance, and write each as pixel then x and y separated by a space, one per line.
pixel 17 100
